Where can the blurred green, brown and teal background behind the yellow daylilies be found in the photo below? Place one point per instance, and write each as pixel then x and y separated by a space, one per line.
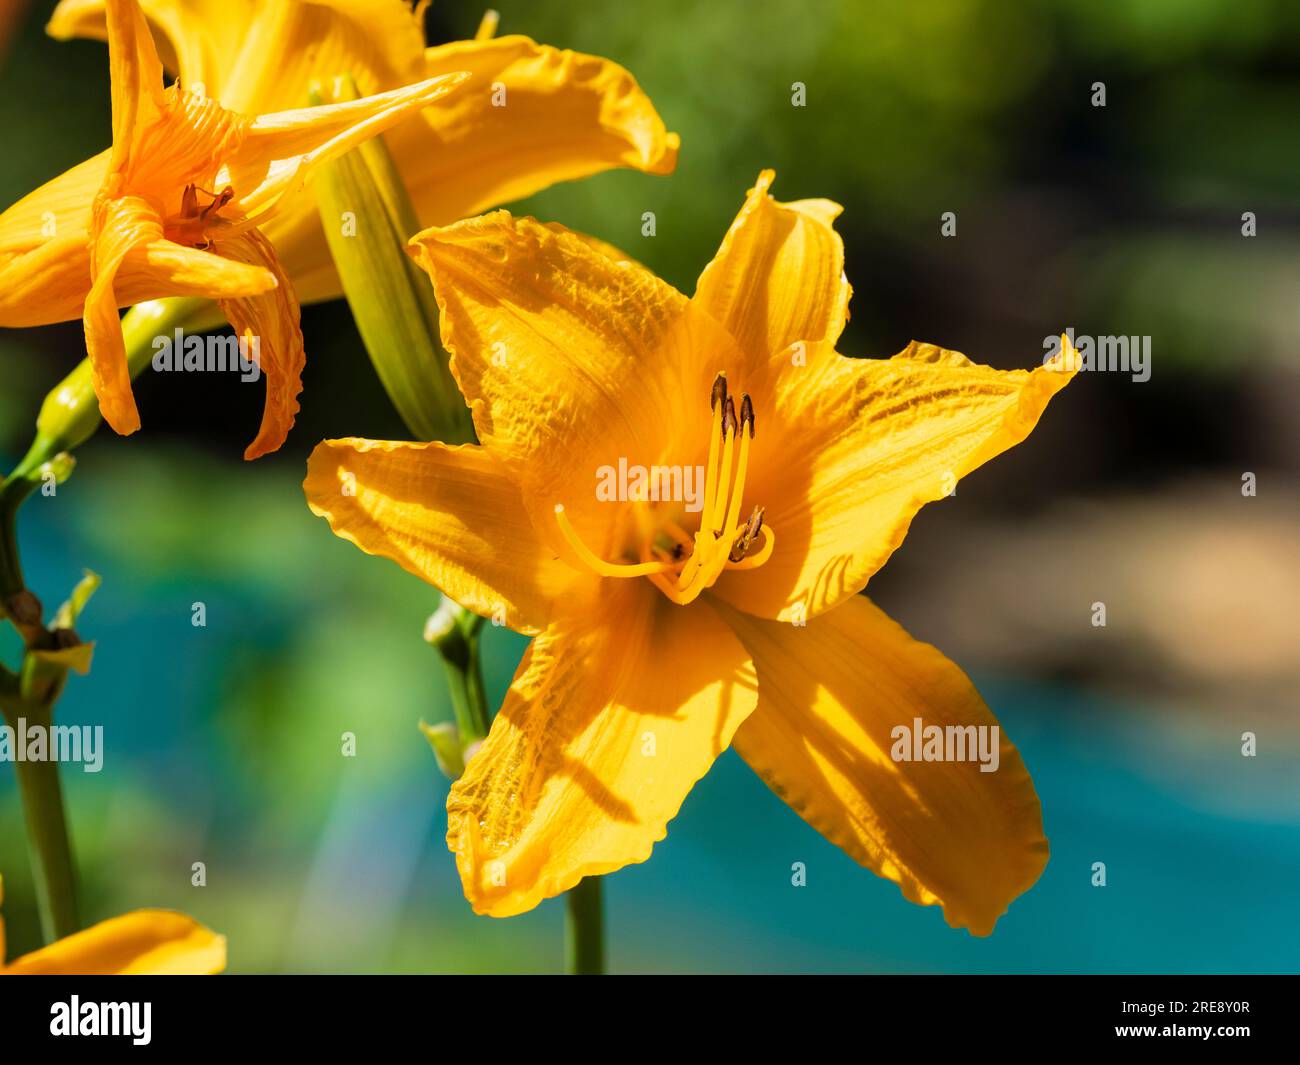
pixel 223 743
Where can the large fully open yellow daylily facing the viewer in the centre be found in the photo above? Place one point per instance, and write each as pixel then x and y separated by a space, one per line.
pixel 671 625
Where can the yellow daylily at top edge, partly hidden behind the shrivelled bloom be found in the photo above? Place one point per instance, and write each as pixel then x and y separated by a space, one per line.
pixel 530 116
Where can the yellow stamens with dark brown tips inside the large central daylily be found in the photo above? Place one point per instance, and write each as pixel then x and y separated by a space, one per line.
pixel 683 565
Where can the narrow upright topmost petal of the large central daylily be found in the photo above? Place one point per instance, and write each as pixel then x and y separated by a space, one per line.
pixel 779 275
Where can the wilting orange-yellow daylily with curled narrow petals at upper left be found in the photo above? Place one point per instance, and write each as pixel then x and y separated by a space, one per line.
pixel 175 209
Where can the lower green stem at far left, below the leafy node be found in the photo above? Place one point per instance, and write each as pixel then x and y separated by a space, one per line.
pixel 47 832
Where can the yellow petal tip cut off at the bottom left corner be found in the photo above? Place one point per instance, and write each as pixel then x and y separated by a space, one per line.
pixel 141 943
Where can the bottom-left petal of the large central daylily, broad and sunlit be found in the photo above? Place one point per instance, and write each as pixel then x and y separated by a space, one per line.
pixel 616 713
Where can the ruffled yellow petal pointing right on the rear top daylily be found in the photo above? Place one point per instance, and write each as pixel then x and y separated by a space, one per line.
pixel 531 116
